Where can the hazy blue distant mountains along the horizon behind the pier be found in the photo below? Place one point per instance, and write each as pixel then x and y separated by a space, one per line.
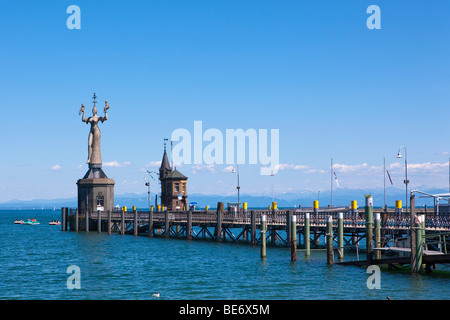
pixel 341 196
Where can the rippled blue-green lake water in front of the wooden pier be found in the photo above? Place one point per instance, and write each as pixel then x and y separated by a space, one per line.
pixel 34 261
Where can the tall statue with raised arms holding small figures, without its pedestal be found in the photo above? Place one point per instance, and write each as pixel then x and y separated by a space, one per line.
pixel 94 154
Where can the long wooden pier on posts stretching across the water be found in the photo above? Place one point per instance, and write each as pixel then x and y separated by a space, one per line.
pixel 314 227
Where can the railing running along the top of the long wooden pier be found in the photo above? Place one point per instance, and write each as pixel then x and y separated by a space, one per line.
pixel 352 218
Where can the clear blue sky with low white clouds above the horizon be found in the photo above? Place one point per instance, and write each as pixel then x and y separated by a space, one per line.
pixel 311 69
